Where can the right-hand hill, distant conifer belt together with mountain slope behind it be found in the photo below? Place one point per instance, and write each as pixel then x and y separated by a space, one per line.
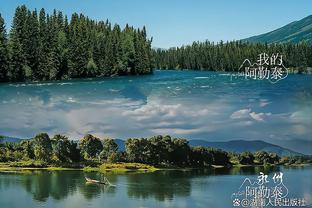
pixel 293 41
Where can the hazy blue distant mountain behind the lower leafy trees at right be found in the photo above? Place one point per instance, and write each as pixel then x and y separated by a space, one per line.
pixel 243 145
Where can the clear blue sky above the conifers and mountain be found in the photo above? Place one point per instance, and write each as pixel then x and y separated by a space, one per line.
pixel 178 22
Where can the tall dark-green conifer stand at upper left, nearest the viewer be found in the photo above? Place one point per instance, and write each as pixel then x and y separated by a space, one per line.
pixel 50 47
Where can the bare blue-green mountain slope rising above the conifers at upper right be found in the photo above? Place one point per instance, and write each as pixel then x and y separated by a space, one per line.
pixel 295 32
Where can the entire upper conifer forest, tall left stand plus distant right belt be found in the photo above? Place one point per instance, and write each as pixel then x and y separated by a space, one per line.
pixel 41 46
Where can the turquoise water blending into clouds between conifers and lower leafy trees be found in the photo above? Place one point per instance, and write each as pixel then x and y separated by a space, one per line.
pixel 190 104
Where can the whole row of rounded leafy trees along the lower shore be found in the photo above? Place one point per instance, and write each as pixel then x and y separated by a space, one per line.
pixel 159 151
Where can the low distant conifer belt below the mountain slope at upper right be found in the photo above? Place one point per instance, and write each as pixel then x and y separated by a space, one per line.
pixel 230 55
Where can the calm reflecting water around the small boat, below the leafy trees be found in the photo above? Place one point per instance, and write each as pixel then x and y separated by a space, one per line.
pixel 174 188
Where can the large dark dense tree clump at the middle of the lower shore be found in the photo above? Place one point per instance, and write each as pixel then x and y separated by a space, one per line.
pixel 163 150
